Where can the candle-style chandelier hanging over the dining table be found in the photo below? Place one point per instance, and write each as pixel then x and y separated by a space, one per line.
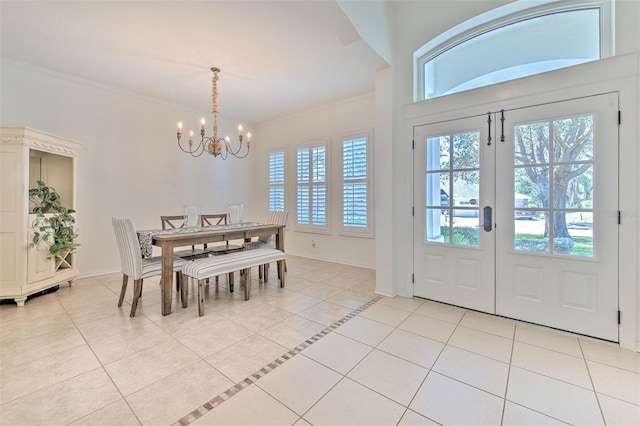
pixel 213 144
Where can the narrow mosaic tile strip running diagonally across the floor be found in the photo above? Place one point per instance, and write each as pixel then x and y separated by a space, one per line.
pixel 246 382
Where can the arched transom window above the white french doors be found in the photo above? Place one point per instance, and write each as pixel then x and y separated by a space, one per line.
pixel 512 42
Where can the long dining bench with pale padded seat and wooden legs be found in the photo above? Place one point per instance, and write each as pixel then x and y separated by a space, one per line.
pixel 201 269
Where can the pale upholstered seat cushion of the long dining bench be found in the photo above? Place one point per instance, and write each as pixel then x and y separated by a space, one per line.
pixel 218 265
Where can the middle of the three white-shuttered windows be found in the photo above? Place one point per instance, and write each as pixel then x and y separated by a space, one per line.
pixel 311 173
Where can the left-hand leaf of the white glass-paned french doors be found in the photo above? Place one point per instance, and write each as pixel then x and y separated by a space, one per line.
pixel 454 185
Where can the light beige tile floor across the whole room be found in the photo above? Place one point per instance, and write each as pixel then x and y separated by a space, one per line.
pixel 325 350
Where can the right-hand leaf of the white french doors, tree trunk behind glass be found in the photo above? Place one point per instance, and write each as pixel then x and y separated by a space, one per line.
pixel 560 268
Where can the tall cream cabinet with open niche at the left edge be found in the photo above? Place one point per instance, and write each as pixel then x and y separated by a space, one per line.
pixel 26 156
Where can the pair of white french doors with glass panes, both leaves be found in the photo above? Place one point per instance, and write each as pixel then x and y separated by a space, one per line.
pixel 524 224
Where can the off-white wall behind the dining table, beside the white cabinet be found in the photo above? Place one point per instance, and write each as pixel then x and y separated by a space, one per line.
pixel 129 164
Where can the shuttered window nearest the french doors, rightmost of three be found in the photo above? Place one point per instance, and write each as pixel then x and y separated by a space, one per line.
pixel 356 189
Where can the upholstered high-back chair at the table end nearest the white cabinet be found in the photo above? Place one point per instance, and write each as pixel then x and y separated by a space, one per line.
pixel 133 264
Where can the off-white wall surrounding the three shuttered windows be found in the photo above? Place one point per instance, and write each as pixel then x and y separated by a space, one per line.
pixel 330 121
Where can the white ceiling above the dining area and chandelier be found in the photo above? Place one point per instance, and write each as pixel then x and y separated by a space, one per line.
pixel 276 57
